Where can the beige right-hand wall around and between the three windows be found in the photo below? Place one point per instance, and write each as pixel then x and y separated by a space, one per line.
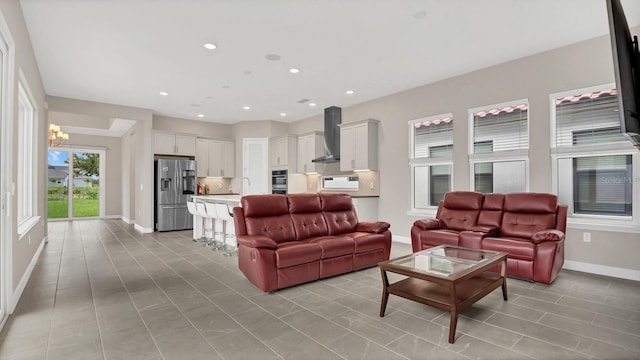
pixel 535 78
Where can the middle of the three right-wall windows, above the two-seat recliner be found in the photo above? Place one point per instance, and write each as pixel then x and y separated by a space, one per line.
pixel 499 147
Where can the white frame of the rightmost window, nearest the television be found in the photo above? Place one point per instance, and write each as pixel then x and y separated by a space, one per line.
pixel 592 221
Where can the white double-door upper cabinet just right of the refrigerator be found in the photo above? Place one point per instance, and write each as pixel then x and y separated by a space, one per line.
pixel 215 158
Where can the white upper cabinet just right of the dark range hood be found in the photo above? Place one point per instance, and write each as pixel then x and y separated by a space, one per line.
pixel 359 145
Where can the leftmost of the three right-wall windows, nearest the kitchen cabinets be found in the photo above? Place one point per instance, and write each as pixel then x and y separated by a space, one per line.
pixel 430 160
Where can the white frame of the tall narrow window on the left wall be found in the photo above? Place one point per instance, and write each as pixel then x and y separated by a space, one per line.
pixel 27 194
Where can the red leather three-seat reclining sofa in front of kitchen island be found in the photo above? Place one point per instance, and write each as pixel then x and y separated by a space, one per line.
pixel 289 240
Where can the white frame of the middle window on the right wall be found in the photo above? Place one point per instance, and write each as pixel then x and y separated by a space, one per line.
pixel 500 156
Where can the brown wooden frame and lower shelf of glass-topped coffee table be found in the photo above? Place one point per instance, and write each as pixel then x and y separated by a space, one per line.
pixel 453 293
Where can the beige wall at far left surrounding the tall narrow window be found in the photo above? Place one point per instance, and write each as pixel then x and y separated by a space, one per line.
pixel 22 250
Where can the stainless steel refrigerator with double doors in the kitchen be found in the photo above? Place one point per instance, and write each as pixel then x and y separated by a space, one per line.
pixel 174 185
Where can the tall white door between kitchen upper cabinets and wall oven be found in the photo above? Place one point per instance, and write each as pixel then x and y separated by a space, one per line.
pixel 255 163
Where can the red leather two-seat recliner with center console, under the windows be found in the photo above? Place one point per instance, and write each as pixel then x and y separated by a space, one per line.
pixel 530 227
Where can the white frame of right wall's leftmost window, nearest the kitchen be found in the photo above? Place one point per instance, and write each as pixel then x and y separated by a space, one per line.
pixel 425 161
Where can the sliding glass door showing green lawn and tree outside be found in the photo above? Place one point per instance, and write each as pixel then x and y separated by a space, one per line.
pixel 75 187
